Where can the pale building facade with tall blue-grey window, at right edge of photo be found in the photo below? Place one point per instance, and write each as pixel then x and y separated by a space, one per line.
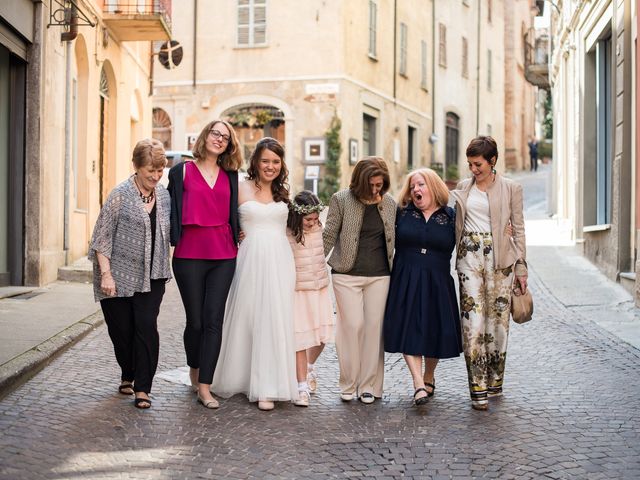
pixel 592 75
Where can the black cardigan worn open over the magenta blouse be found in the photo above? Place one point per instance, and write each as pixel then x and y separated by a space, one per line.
pixel 176 188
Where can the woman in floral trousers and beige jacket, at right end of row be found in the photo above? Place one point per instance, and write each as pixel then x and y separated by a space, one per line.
pixel 491 248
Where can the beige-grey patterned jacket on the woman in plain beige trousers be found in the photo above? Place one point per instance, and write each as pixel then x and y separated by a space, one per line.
pixel 342 229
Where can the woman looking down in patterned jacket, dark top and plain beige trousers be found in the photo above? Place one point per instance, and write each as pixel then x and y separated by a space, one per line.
pixel 360 232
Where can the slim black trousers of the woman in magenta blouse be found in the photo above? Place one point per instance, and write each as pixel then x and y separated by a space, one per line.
pixel 204 286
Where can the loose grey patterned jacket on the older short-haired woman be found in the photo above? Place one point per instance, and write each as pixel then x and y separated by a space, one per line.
pixel 123 234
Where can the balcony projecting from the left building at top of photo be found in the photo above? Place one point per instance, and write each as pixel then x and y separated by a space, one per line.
pixel 138 20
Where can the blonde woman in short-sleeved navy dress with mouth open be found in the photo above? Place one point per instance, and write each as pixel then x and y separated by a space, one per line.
pixel 421 317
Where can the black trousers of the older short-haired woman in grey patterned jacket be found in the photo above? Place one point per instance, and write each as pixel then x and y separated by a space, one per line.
pixel 133 327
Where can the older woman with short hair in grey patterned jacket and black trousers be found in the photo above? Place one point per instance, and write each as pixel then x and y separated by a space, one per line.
pixel 130 253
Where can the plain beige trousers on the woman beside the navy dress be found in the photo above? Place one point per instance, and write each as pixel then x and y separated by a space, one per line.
pixel 360 303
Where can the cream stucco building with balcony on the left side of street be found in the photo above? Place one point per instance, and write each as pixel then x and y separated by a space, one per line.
pixel 80 102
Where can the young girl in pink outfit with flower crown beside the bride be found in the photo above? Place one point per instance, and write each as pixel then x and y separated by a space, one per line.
pixel 313 313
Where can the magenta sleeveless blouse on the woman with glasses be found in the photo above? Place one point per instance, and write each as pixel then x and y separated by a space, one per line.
pixel 206 233
